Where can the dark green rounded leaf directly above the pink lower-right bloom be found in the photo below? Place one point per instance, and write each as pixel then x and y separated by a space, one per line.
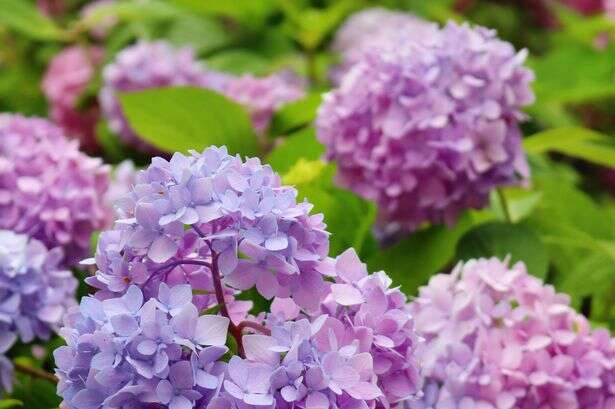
pixel 496 239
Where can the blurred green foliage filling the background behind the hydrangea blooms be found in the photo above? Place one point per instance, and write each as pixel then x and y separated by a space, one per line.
pixel 562 226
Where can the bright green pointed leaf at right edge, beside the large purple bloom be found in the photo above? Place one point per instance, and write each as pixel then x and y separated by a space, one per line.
pixel 577 142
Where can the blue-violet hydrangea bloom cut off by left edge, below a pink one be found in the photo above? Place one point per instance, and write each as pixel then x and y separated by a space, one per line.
pixel 34 294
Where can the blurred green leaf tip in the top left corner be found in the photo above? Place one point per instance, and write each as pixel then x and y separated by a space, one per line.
pixel 24 17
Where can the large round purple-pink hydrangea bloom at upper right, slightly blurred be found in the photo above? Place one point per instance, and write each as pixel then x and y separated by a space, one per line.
pixel 429 128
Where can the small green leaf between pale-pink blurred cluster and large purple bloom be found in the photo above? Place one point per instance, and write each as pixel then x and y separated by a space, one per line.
pixel 295 114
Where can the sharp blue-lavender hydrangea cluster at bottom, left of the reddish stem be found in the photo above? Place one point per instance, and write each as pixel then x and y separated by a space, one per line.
pixel 127 353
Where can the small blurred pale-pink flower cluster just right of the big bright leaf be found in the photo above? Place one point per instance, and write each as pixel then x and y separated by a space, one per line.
pixel 265 95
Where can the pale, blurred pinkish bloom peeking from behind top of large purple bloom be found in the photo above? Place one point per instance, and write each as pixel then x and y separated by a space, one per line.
pixel 374 29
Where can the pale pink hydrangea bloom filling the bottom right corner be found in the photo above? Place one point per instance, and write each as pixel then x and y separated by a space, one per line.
pixel 498 337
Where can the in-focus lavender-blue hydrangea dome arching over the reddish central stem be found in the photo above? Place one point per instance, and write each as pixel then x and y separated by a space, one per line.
pixel 211 212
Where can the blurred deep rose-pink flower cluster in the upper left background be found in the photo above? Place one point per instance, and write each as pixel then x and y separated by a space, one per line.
pixel 67 77
